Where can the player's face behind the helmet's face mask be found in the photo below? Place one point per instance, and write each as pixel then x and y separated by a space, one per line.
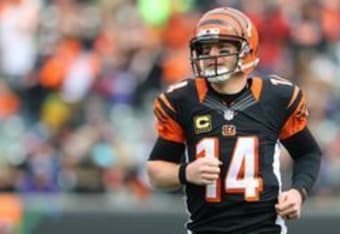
pixel 222 57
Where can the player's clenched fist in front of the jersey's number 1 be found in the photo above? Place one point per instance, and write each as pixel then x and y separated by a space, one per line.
pixel 203 171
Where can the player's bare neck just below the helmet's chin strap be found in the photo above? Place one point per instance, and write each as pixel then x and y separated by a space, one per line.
pixel 231 86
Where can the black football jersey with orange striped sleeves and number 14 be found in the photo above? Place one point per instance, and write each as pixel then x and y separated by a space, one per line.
pixel 244 135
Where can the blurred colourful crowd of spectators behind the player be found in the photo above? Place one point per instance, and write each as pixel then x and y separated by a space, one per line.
pixel 78 77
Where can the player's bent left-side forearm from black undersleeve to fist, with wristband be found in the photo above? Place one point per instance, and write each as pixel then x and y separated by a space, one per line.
pixel 165 171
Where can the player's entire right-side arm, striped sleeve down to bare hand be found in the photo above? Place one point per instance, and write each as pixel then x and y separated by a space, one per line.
pixel 306 154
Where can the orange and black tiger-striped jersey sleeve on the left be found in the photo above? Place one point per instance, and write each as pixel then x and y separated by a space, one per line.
pixel 168 125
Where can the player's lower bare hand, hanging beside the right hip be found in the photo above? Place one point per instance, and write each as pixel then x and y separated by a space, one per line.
pixel 289 204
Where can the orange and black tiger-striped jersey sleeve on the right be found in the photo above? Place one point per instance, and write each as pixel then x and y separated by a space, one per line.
pixel 296 115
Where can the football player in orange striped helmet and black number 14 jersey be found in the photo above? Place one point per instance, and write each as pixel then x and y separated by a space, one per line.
pixel 229 126
